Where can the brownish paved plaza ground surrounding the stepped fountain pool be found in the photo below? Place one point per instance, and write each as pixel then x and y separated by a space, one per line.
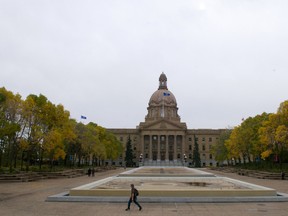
pixel 29 198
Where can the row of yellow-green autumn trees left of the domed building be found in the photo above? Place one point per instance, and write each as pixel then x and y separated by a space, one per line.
pixel 36 129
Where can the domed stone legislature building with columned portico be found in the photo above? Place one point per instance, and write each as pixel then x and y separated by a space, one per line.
pixel 163 139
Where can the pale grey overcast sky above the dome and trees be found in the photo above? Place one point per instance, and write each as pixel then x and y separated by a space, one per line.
pixel 224 59
